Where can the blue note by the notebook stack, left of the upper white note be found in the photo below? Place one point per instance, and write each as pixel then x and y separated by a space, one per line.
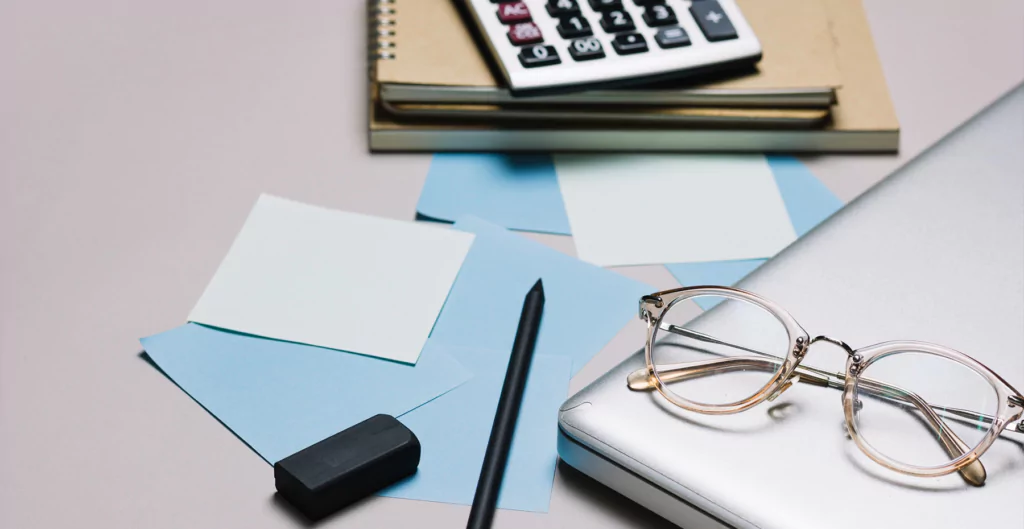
pixel 518 192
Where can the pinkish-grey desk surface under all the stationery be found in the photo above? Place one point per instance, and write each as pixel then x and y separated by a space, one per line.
pixel 135 138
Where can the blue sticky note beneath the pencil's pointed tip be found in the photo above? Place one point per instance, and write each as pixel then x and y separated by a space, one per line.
pixel 585 305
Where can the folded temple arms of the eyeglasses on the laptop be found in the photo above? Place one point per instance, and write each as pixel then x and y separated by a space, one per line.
pixel 974 473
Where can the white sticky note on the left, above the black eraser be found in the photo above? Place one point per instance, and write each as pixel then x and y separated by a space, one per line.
pixel 332 279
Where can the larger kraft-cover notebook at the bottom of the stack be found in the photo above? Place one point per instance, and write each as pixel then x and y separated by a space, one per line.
pixel 864 119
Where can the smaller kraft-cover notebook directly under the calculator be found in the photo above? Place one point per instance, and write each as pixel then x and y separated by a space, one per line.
pixel 430 56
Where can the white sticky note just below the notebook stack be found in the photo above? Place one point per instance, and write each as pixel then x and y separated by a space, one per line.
pixel 656 209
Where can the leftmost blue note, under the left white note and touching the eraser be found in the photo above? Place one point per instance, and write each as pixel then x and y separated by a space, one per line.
pixel 281 398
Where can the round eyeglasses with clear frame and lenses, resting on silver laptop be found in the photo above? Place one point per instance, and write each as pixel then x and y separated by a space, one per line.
pixel 919 409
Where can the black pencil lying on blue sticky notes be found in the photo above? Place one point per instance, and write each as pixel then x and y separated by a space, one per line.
pixel 486 500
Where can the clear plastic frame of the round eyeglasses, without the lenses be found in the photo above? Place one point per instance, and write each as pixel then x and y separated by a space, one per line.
pixel 964 459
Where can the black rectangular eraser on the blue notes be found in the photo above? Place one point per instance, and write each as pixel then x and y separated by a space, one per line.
pixel 348 467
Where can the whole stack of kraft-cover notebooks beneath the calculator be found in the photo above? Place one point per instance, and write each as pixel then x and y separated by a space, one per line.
pixel 819 89
